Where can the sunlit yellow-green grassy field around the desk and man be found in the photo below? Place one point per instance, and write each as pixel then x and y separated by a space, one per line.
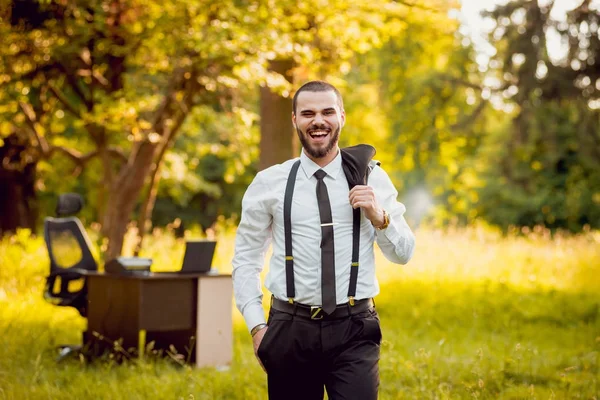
pixel 473 315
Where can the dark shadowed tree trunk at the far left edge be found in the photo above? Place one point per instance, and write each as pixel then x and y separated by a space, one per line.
pixel 18 203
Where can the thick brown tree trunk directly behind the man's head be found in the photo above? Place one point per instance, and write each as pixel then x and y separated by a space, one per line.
pixel 278 140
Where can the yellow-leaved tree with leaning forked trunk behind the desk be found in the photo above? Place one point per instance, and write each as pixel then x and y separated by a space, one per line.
pixel 126 74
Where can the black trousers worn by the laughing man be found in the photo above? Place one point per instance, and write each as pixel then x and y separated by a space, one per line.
pixel 303 357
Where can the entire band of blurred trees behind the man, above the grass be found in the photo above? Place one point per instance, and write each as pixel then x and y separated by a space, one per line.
pixel 163 111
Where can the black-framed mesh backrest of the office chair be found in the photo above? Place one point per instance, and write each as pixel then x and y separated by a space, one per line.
pixel 68 245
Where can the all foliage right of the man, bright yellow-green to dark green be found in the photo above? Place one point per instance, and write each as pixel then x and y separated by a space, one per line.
pixel 530 159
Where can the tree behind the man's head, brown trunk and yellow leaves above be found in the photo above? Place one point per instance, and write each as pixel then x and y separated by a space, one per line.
pixel 323 43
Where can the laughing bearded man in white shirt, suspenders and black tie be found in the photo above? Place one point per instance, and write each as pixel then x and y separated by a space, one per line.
pixel 323 331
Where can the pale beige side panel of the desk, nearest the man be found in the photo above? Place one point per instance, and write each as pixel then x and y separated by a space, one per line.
pixel 214 327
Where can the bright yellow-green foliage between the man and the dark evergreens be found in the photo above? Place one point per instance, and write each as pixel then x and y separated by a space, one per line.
pixel 427 132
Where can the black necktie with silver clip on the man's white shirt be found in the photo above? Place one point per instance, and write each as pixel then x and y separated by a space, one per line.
pixel 327 250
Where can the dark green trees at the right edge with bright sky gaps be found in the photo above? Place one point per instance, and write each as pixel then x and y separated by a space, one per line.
pixel 544 166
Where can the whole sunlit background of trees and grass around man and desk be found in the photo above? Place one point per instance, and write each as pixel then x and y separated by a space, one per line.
pixel 160 113
